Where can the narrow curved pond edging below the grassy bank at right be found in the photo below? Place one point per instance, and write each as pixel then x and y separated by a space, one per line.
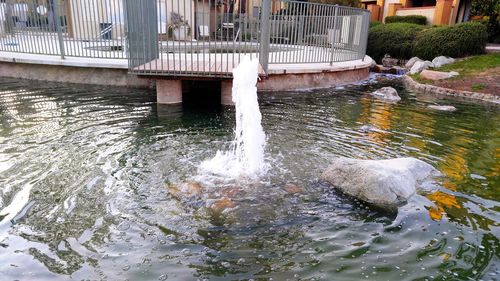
pixel 435 90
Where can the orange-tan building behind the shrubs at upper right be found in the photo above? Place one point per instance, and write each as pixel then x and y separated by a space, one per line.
pixel 437 12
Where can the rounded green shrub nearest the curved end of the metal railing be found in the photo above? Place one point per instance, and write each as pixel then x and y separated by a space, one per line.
pixel 395 39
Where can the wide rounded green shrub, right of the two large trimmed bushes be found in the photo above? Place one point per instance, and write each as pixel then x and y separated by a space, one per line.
pixel 456 41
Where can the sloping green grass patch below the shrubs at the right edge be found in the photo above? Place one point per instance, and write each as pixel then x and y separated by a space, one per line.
pixel 473 65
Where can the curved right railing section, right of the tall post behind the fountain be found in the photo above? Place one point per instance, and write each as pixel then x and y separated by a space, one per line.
pixel 317 33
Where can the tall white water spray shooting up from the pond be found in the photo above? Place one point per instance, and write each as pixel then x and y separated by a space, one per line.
pixel 246 157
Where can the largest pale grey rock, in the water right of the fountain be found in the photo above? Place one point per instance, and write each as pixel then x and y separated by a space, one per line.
pixel 383 183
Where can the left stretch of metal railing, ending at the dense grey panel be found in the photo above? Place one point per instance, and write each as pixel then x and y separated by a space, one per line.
pixel 77 28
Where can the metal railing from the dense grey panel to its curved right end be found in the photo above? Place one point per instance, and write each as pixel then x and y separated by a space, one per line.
pixel 208 38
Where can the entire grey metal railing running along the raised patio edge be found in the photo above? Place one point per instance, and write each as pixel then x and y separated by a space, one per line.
pixel 203 38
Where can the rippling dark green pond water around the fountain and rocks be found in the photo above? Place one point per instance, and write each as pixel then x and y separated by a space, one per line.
pixel 90 176
